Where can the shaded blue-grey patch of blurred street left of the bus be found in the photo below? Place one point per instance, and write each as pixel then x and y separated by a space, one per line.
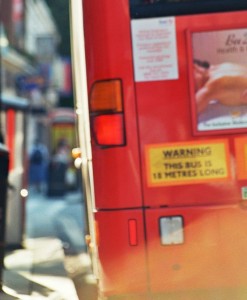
pixel 62 217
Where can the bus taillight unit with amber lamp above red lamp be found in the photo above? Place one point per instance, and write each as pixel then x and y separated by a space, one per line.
pixel 107 113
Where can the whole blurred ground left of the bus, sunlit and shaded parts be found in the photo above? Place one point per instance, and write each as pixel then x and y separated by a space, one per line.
pixel 52 264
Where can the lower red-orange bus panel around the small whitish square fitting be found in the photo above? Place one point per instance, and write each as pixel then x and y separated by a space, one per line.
pixel 212 256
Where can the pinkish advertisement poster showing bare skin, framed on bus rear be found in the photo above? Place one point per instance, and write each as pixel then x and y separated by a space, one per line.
pixel 220 79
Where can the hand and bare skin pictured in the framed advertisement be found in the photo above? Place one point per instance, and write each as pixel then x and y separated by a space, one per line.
pixel 225 83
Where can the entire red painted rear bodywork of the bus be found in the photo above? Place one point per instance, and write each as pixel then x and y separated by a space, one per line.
pixel 212 255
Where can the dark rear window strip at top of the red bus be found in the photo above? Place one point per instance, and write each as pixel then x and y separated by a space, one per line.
pixel 158 8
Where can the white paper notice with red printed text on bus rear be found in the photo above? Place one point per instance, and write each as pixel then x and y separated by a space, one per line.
pixel 155 49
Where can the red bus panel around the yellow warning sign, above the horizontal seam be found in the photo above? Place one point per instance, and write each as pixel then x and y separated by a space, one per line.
pixel 166 105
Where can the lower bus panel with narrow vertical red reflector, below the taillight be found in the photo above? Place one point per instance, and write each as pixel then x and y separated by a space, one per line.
pixel 123 266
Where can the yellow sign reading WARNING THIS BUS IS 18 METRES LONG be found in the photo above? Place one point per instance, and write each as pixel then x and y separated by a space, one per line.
pixel 187 163
